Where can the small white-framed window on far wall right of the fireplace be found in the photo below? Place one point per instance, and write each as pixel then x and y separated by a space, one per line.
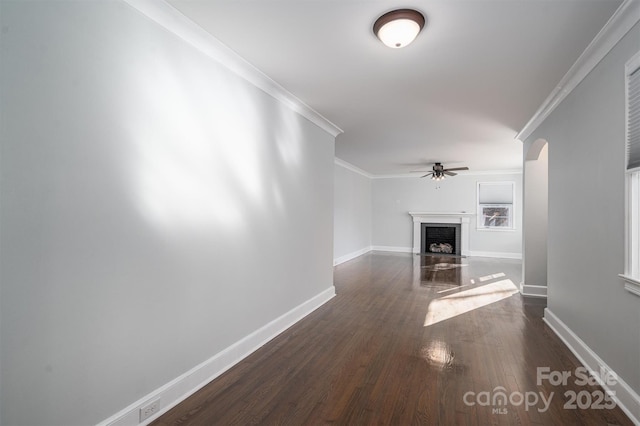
pixel 495 205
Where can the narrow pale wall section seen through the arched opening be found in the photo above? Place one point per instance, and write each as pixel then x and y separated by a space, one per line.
pixel 535 220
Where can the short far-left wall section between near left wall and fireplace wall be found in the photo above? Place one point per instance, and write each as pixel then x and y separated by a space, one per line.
pixel 352 214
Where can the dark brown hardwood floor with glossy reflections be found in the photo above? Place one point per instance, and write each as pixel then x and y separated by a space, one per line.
pixel 407 340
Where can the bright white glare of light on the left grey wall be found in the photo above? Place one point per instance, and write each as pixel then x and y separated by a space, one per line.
pixel 200 164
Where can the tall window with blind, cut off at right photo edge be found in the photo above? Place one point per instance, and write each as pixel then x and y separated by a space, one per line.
pixel 632 261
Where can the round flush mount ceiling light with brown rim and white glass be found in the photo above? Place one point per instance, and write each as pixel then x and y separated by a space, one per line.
pixel 399 28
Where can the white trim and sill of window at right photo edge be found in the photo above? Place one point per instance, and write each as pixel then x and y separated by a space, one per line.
pixel 631 274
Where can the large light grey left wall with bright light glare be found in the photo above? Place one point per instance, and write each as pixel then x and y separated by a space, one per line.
pixel 156 208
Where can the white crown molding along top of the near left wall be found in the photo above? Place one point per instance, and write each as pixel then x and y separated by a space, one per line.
pixel 175 22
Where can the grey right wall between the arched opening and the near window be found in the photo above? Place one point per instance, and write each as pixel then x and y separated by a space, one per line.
pixel 586 138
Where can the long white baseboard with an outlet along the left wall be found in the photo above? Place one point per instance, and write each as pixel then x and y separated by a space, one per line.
pixel 177 390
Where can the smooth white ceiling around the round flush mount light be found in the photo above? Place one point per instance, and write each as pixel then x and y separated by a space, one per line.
pixel 459 94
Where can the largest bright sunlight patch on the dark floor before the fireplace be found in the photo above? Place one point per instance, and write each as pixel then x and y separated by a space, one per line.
pixel 459 303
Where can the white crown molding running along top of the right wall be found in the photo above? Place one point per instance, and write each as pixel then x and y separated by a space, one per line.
pixel 618 25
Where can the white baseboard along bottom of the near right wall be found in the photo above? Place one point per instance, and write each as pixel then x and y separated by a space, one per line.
pixel 625 397
